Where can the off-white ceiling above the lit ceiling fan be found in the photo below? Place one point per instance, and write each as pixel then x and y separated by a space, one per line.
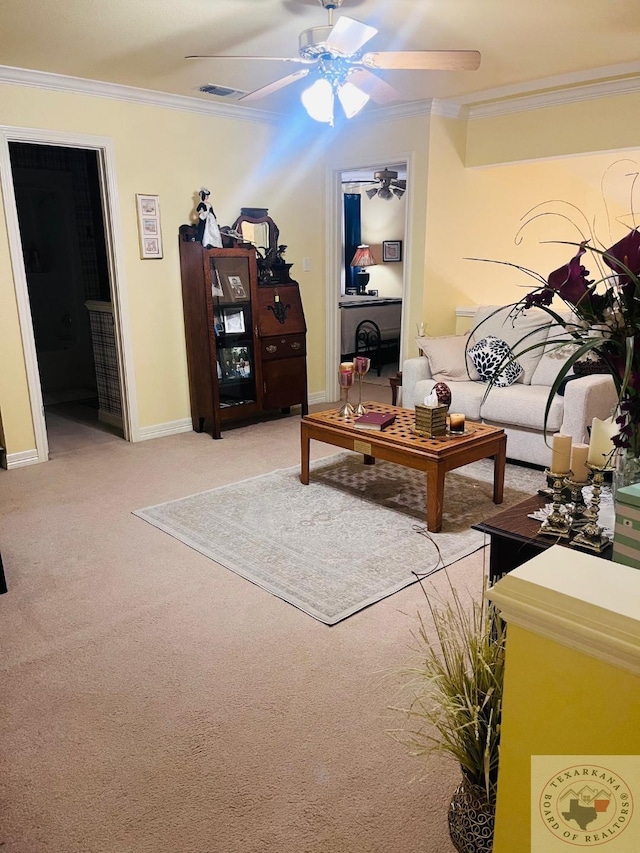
pixel 142 43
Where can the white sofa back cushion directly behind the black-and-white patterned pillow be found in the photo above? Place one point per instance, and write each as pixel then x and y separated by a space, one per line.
pixel 498 321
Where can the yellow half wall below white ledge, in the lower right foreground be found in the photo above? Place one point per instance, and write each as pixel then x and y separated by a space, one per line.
pixel 557 701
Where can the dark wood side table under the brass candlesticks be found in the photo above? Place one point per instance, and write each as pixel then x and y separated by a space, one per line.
pixel 514 537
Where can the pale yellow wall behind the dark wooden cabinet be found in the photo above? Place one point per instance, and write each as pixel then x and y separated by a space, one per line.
pixel 171 153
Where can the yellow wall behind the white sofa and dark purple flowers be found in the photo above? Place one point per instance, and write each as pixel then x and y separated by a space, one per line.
pixel 481 213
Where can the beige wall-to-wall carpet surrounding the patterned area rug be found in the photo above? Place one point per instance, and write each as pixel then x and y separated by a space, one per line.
pixel 153 702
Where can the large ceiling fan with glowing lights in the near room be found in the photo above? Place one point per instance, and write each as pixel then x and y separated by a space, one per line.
pixel 333 55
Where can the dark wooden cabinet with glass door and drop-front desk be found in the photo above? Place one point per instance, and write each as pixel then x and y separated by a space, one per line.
pixel 246 342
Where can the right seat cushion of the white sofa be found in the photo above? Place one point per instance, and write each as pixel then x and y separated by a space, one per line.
pixel 523 406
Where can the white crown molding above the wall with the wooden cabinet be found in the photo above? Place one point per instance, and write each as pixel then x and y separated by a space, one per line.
pixel 148 97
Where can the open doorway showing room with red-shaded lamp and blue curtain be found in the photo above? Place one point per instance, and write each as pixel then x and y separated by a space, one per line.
pixel 373 213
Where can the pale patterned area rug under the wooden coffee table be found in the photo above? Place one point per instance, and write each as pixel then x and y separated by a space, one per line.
pixel 355 535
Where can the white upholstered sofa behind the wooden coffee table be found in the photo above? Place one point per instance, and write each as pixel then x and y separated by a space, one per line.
pixel 519 409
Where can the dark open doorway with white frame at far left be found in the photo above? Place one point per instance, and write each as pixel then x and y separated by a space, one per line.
pixel 62 218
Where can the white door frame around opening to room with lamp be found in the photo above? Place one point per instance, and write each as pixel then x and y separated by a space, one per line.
pixel 333 229
